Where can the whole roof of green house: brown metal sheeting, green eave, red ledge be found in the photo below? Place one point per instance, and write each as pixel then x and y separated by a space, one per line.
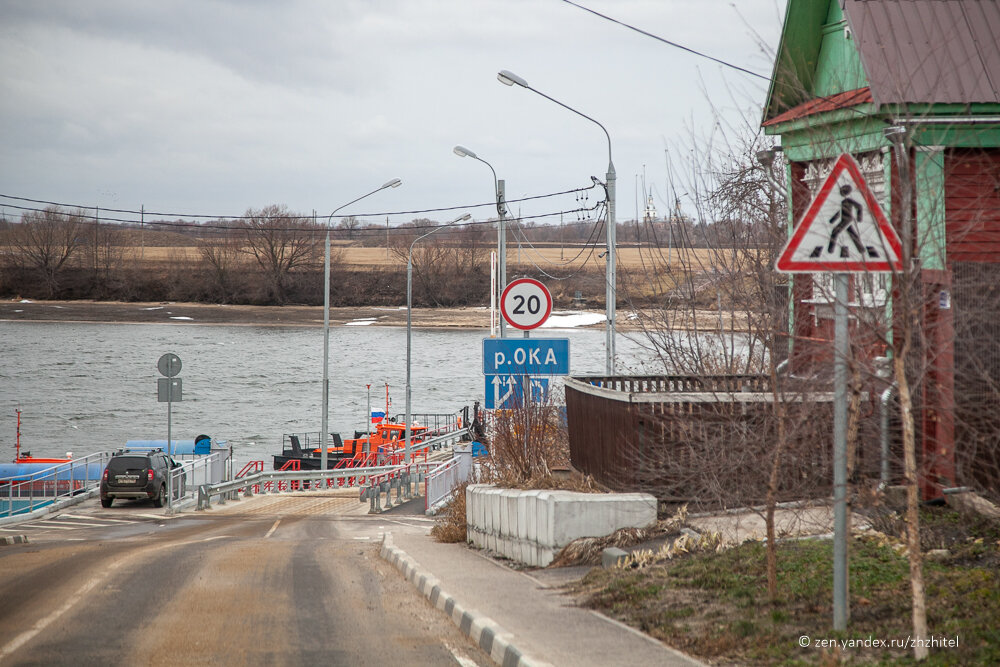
pixel 911 52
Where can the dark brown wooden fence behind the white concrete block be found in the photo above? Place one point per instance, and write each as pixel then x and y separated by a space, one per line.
pixel 705 440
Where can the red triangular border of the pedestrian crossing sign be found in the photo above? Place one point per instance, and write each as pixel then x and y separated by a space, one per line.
pixel 785 264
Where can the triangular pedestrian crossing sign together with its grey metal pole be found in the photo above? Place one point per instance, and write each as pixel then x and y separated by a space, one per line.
pixel 843 231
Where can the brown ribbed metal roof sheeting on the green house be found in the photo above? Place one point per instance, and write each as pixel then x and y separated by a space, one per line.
pixel 928 51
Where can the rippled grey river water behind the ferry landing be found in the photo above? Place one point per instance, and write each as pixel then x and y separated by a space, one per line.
pixel 83 388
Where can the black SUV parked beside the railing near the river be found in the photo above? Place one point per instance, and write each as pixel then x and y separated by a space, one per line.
pixel 139 475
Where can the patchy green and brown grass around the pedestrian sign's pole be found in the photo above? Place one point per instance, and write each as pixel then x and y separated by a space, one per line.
pixel 715 605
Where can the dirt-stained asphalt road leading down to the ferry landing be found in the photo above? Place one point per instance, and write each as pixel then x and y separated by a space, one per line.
pixel 271 581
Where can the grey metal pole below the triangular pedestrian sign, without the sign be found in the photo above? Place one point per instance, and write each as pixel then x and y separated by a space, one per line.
pixel 841 611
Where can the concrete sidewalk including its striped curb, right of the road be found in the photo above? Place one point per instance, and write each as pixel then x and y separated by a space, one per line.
pixel 517 617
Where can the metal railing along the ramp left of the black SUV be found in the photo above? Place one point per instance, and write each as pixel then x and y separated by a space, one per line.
pixel 23 494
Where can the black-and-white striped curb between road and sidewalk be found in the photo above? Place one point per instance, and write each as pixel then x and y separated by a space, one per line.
pixel 483 631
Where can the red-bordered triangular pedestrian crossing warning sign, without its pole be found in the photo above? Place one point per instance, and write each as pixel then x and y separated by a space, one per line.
pixel 844 229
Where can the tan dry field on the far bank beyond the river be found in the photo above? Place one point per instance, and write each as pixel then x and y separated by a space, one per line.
pixel 553 257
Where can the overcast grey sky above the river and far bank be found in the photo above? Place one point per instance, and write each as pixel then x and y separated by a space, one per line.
pixel 215 106
